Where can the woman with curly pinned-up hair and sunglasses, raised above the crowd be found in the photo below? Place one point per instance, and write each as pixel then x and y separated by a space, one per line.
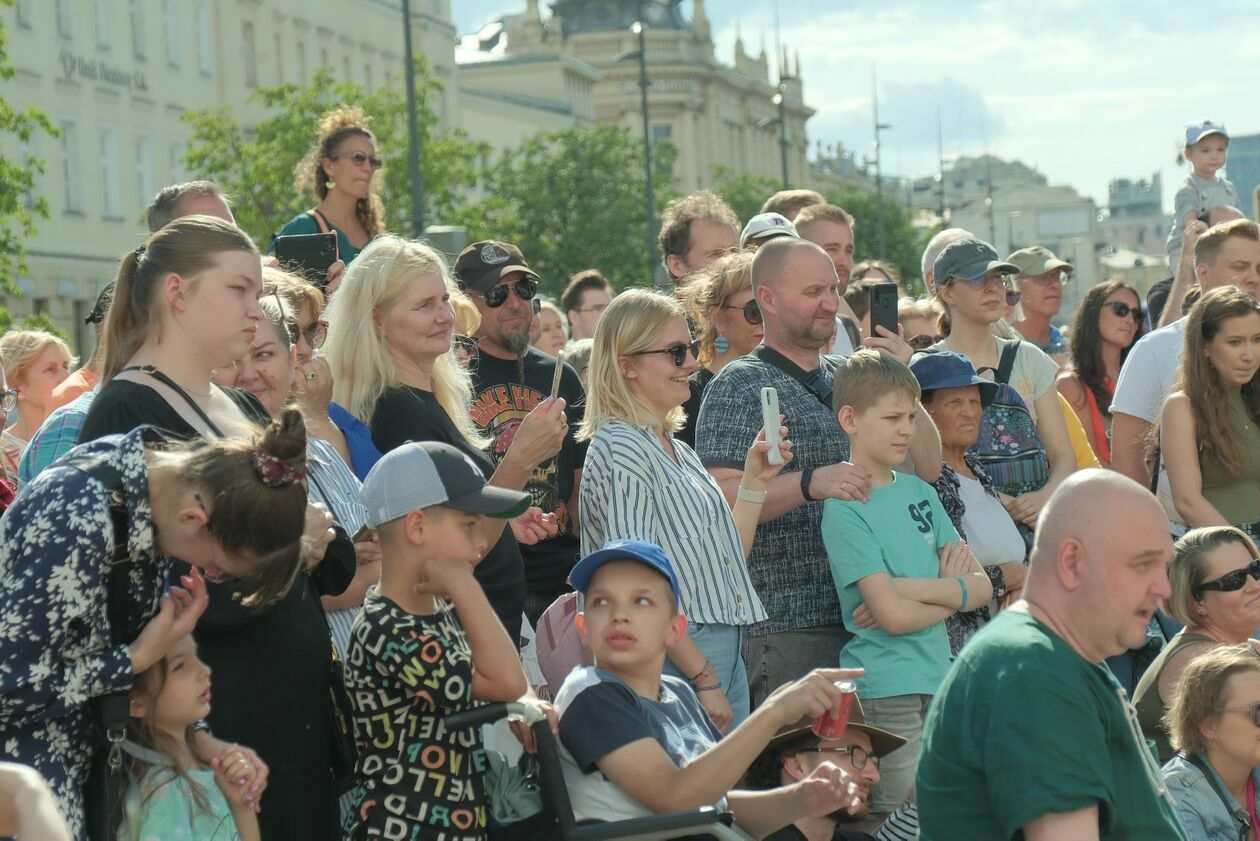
pixel 342 168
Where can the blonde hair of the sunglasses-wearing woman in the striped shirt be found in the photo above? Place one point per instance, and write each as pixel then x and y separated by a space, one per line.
pixel 632 323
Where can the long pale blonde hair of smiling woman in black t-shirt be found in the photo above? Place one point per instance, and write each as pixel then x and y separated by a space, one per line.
pixel 361 364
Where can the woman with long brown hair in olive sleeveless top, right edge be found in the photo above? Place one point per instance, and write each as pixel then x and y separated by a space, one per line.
pixel 1210 427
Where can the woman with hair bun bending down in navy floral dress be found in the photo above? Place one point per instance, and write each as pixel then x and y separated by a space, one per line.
pixel 234 510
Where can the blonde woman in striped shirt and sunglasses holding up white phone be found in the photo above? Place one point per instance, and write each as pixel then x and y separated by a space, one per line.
pixel 639 482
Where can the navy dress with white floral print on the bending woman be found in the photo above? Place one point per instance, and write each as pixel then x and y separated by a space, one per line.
pixel 56 544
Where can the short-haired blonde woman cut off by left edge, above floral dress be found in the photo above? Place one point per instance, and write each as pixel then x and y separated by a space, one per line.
pixel 35 364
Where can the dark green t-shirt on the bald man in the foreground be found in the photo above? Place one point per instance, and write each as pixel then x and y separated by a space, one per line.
pixel 1025 727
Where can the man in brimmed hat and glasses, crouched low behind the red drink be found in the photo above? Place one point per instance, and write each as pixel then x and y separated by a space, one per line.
pixel 797 752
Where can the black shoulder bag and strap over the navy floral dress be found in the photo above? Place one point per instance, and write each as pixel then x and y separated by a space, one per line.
pixel 108 779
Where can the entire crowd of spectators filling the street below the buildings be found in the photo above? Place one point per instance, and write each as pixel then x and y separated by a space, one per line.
pixel 358 504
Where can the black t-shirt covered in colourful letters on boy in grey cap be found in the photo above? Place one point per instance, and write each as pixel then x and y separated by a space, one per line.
pixel 414 779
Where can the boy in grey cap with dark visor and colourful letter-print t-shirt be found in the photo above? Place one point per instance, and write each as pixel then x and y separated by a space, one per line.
pixel 427 645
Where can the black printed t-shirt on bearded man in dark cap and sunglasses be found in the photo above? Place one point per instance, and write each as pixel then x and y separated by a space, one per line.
pixel 501 400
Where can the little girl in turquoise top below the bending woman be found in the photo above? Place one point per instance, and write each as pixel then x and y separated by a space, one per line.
pixel 175 796
